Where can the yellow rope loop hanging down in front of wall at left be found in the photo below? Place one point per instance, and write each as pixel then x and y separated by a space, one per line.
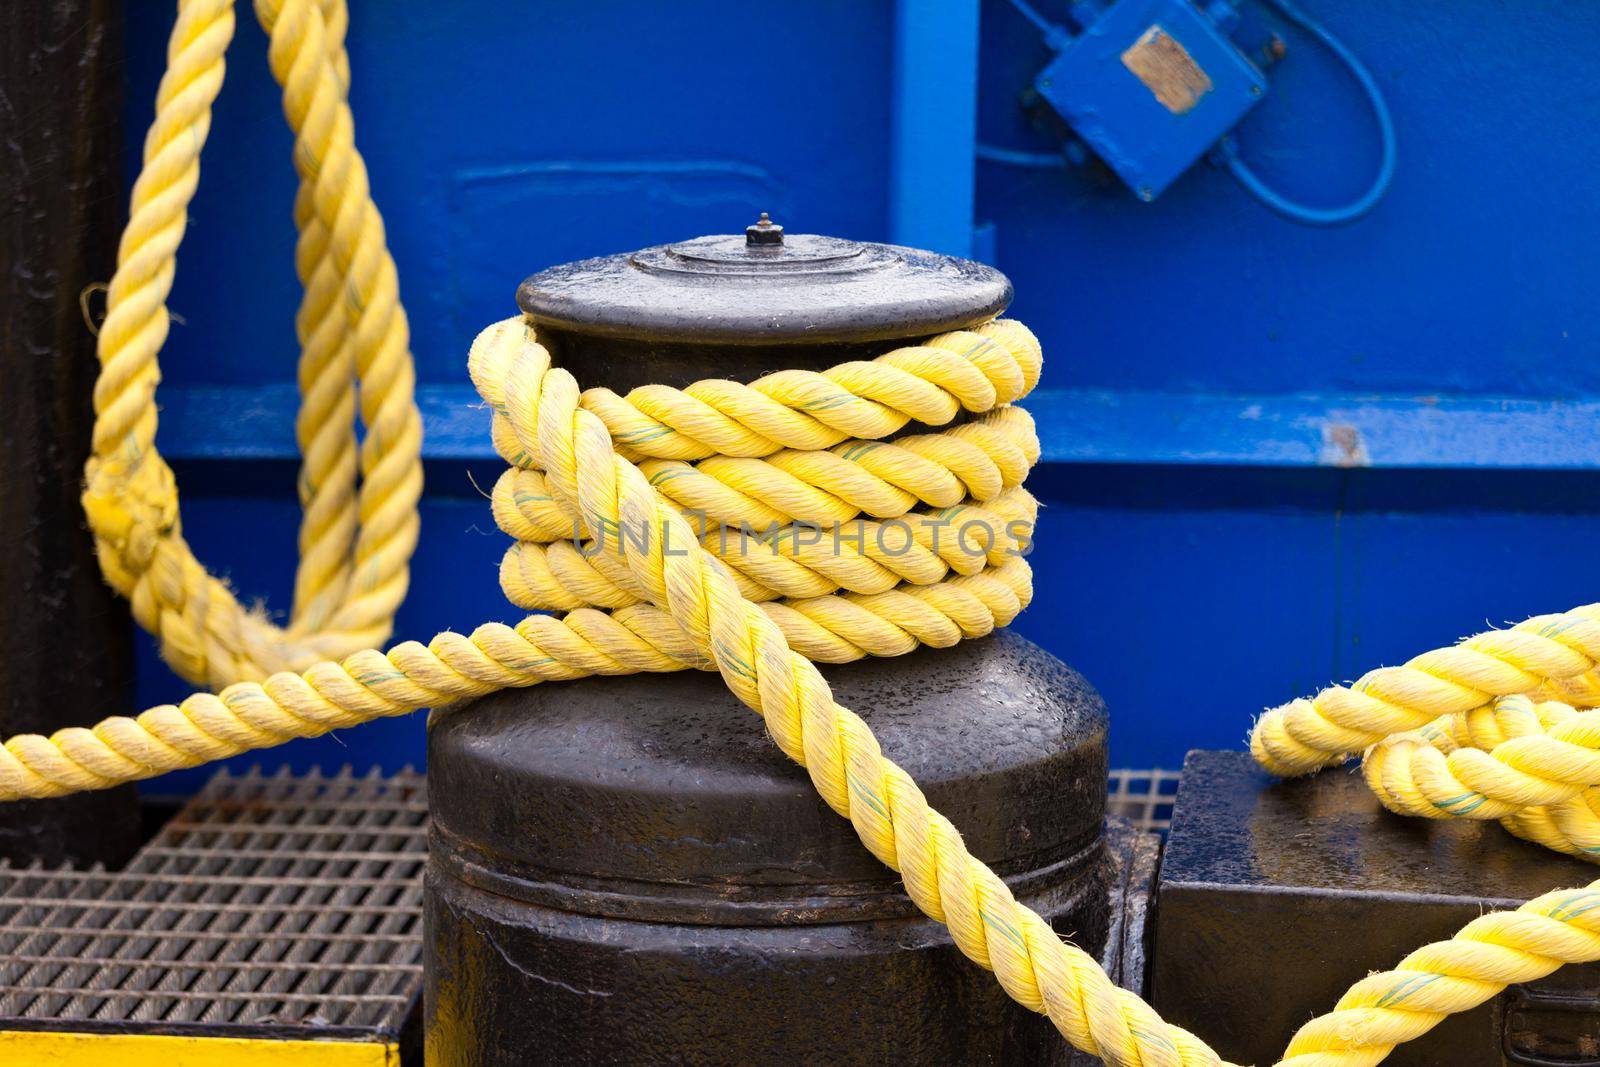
pixel 356 543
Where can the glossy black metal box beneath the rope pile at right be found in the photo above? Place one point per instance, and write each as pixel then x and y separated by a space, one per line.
pixel 1278 897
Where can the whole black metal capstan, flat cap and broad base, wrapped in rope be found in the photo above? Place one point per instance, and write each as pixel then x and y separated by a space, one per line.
pixel 628 871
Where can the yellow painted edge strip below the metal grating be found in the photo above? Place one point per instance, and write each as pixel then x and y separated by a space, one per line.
pixel 47 1049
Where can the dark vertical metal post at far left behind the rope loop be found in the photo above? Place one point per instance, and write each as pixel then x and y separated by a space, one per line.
pixel 65 636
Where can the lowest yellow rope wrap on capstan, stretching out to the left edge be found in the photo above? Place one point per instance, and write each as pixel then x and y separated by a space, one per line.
pixel 454 668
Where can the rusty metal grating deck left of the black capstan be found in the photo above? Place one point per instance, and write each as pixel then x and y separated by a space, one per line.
pixel 286 908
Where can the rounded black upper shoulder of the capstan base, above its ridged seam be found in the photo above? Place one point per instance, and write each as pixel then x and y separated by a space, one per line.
pixel 662 797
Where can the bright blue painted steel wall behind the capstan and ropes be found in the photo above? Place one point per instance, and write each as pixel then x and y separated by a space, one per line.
pixel 1274 457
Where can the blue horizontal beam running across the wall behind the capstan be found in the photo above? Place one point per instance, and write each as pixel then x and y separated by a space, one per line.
pixel 212 423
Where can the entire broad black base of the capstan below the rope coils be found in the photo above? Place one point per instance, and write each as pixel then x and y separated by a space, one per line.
pixel 628 871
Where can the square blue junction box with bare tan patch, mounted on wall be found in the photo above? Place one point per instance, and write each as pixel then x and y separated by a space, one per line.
pixel 1151 87
